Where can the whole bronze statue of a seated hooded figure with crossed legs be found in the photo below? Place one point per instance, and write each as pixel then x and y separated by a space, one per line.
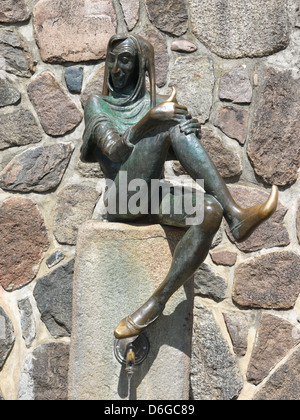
pixel 133 130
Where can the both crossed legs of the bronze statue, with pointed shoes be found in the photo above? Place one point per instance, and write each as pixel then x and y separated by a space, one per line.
pixel 146 161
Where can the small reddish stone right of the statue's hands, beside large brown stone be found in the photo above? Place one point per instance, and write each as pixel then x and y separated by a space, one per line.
pixel 233 122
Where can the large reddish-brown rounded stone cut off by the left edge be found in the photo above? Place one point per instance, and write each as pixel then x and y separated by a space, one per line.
pixel 24 240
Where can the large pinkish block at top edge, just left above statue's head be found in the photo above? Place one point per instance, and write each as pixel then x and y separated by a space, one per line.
pixel 73 31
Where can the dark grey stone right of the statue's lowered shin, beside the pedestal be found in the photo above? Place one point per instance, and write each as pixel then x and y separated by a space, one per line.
pixel 208 284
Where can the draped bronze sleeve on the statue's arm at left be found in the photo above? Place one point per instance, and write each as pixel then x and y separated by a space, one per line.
pixel 100 133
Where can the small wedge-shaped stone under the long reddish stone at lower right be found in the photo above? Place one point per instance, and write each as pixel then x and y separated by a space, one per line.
pixel 237 325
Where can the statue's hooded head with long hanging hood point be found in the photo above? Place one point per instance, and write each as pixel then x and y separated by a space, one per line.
pixel 129 58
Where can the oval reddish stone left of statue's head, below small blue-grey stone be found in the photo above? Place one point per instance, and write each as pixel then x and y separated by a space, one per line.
pixel 58 114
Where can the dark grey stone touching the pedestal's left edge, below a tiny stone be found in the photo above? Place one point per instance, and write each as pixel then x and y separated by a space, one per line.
pixel 53 294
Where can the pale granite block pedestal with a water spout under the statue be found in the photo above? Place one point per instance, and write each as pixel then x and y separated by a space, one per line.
pixel 118 266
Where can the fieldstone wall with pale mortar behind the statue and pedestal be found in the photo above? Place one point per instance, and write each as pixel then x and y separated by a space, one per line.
pixel 236 66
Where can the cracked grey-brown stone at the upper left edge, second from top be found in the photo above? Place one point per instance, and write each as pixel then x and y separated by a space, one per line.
pixel 15 56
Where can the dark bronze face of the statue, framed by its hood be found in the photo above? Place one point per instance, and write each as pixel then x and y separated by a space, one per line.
pixel 122 65
